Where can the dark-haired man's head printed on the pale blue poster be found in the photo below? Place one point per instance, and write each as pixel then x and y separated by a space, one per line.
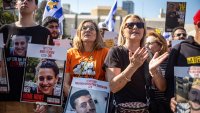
pixel 82 102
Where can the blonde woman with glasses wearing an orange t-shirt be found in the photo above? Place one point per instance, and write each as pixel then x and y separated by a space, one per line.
pixel 86 57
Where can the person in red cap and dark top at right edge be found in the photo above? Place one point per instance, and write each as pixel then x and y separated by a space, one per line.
pixel 184 54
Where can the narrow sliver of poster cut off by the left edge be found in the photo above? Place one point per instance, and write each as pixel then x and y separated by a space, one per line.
pixel 4 82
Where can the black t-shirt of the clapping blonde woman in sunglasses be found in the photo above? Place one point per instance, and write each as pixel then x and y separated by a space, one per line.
pixel 134 91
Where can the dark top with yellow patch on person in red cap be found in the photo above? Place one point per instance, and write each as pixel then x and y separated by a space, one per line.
pixel 187 53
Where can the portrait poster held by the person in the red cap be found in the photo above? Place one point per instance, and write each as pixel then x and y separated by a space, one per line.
pixel 187 92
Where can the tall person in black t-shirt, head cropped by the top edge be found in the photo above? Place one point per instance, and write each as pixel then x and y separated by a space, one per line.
pixel 25 26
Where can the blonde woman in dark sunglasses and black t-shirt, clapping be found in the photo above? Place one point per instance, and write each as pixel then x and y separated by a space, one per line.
pixel 127 69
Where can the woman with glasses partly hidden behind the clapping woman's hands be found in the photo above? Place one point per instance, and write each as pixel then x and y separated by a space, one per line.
pixel 156 43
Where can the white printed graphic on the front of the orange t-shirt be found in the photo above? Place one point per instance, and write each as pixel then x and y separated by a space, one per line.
pixel 84 68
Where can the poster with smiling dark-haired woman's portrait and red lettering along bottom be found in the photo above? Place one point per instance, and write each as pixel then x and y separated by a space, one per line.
pixel 44 74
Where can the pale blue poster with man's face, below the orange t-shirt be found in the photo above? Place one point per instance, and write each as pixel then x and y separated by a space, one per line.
pixel 87 94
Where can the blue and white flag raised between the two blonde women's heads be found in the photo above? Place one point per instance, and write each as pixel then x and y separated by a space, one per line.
pixel 110 20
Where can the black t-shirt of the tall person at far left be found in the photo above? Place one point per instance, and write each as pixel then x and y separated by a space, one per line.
pixel 15 64
